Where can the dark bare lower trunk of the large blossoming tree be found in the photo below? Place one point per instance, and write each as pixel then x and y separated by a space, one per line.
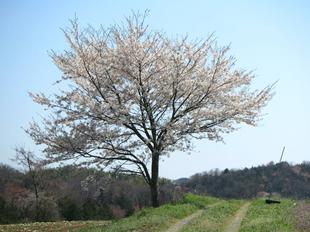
pixel 154 181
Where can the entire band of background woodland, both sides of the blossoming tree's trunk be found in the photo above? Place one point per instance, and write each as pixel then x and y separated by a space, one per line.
pixel 75 193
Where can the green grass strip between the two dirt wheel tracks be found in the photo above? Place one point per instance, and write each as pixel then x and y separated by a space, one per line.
pixel 213 219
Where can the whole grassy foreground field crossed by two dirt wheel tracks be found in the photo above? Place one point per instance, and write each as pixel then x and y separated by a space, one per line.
pixel 211 214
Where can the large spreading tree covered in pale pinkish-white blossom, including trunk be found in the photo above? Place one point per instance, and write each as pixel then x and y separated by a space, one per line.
pixel 137 95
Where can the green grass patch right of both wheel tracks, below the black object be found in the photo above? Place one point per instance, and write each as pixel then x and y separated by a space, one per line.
pixel 274 218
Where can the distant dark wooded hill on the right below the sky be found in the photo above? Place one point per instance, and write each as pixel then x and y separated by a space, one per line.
pixel 283 178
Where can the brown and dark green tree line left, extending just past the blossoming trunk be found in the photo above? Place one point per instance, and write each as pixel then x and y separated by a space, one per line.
pixel 73 193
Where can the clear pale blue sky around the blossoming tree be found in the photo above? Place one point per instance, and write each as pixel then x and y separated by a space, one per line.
pixel 270 37
